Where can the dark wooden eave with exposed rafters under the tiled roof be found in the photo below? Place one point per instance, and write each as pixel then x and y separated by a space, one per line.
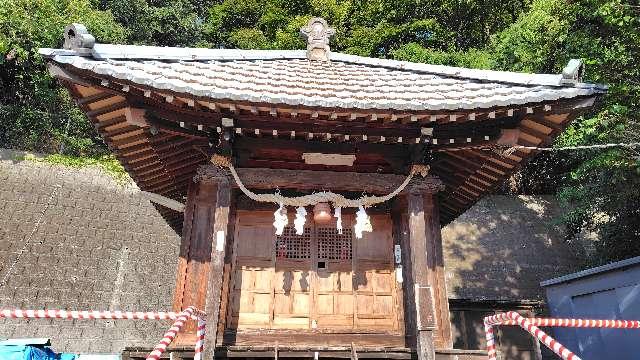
pixel 163 155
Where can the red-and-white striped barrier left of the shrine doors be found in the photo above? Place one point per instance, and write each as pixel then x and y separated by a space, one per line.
pixel 179 317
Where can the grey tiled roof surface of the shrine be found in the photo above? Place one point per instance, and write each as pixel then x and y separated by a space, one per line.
pixel 346 81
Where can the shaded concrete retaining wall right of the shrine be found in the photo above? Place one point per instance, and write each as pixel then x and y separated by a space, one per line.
pixel 504 246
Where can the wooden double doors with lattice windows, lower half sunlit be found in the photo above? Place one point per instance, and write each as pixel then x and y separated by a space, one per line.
pixel 318 281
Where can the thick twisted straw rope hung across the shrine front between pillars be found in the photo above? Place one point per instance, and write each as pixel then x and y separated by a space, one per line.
pixel 323 196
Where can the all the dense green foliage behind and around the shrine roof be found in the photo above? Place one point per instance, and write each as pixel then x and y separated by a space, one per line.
pixel 600 187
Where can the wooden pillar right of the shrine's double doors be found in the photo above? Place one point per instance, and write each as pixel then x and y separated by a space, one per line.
pixel 426 303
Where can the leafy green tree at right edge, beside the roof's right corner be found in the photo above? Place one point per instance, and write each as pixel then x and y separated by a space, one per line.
pixel 599 188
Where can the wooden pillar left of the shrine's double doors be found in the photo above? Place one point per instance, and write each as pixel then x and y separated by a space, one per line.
pixel 202 251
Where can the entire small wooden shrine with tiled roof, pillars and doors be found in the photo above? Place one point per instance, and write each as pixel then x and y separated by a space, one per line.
pixel 302 122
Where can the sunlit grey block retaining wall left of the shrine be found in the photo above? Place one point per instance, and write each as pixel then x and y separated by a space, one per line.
pixel 100 246
